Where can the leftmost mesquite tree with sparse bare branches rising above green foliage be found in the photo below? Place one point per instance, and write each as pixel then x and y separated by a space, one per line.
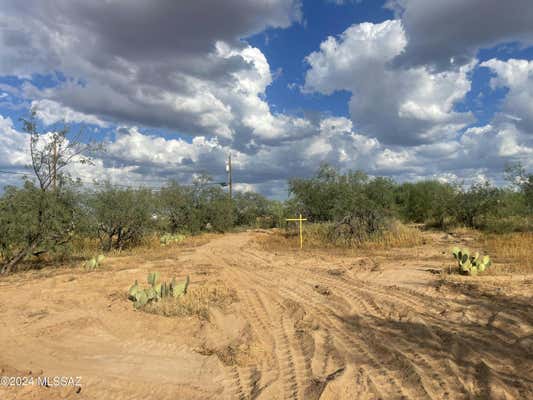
pixel 41 216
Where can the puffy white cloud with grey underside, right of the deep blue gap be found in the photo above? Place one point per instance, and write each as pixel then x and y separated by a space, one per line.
pixel 398 106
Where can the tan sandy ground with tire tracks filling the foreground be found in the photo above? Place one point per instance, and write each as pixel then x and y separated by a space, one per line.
pixel 307 325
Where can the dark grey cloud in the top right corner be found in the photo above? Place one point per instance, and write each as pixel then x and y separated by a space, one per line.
pixel 447 34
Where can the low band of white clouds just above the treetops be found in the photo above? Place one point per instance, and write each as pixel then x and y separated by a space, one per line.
pixel 138 158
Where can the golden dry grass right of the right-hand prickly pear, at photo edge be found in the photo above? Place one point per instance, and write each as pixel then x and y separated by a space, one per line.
pixel 511 252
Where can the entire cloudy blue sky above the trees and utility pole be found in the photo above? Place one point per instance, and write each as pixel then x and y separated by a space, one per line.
pixel 408 89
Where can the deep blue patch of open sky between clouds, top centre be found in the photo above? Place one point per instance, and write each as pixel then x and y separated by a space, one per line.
pixel 286 50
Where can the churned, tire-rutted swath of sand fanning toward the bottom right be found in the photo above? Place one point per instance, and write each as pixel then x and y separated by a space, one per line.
pixel 337 336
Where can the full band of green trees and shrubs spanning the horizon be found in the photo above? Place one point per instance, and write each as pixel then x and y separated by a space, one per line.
pixel 46 214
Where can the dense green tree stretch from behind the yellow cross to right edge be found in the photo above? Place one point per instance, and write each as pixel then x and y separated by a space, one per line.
pixel 331 196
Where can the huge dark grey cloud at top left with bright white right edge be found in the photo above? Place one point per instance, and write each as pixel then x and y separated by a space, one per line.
pixel 177 65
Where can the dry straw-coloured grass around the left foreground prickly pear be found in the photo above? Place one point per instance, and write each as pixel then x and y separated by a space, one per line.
pixel 196 302
